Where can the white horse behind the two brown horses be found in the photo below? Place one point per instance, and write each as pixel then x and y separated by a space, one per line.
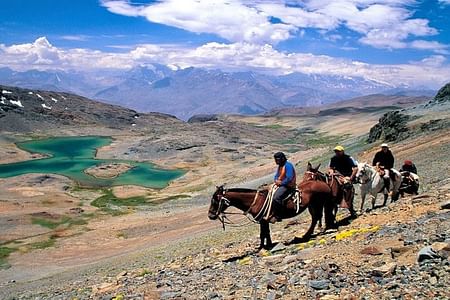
pixel 372 183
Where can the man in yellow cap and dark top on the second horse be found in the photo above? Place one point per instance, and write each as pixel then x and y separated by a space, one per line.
pixel 346 168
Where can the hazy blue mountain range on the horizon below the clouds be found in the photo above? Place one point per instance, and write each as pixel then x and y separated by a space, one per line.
pixel 192 91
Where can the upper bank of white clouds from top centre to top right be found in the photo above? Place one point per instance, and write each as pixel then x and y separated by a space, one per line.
pixel 381 23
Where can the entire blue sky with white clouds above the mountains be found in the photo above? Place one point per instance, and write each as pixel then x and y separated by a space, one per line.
pixel 387 40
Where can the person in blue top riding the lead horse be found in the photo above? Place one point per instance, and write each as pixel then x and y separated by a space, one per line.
pixel 285 180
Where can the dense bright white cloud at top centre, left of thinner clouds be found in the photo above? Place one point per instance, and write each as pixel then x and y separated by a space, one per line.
pixel 228 19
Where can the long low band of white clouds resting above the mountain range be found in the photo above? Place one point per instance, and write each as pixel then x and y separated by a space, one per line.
pixel 432 71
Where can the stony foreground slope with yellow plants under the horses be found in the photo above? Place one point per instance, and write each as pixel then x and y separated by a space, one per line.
pixel 400 251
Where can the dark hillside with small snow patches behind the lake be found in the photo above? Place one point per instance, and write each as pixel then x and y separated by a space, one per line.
pixel 26 110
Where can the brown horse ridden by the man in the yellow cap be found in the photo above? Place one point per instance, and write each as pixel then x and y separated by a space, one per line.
pixel 343 195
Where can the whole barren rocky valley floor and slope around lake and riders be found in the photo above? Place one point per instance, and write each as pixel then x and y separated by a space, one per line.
pixel 172 251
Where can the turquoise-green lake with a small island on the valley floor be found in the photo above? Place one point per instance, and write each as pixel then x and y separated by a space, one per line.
pixel 70 156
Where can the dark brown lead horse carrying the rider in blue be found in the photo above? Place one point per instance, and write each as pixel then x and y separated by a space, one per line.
pixel 312 195
